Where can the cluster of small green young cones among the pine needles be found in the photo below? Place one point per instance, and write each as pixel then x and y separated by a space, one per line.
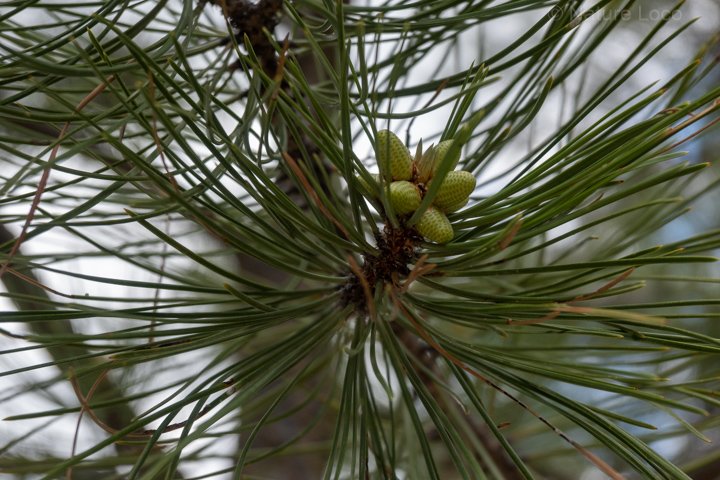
pixel 410 179
